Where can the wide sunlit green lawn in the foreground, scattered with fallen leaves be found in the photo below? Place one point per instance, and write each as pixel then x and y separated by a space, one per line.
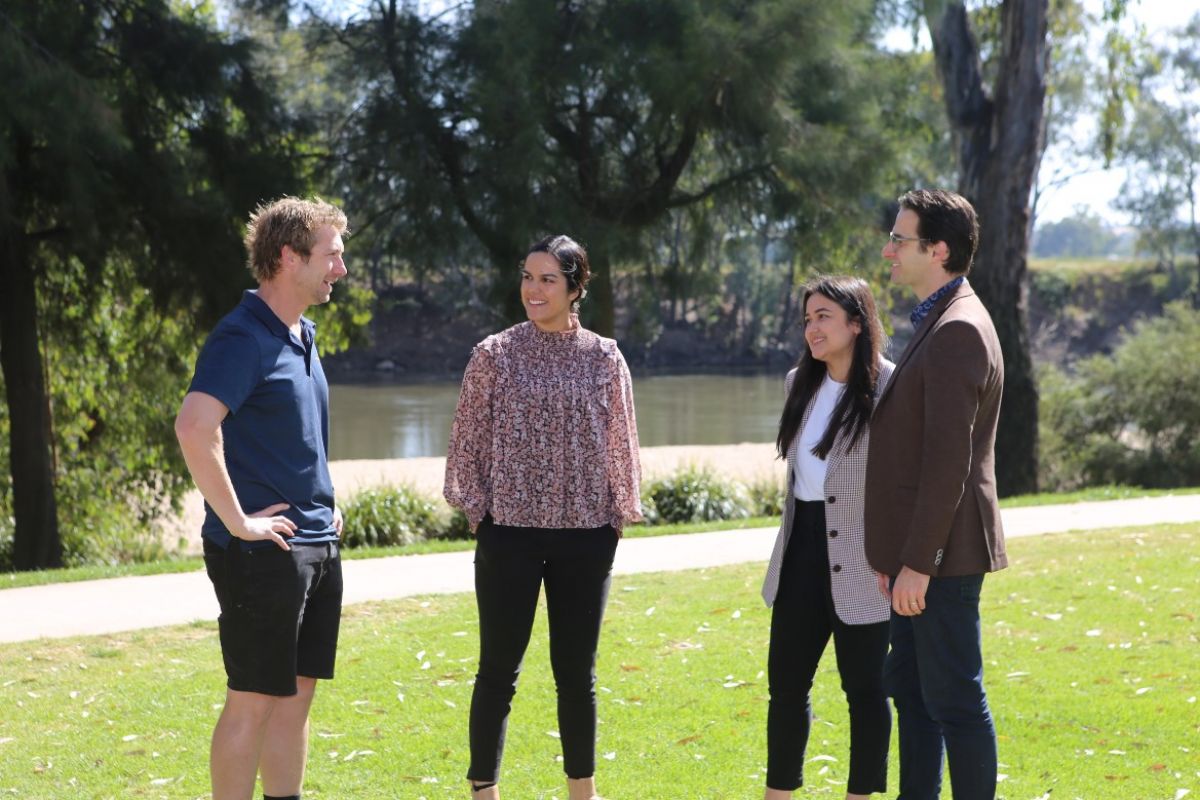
pixel 1091 645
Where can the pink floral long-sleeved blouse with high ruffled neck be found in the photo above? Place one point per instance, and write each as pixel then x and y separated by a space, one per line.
pixel 545 436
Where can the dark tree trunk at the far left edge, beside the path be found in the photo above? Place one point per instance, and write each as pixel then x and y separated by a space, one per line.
pixel 37 543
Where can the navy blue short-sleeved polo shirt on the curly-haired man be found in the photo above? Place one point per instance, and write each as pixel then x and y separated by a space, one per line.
pixel 277 435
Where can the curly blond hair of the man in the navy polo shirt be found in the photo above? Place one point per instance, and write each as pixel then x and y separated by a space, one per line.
pixel 287 221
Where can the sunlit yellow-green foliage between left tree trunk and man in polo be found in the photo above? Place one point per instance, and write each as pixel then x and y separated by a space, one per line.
pixel 118 368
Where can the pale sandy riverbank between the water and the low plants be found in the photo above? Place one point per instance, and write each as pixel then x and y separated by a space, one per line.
pixel 745 462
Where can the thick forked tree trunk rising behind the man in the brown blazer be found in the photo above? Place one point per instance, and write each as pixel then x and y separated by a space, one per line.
pixel 999 137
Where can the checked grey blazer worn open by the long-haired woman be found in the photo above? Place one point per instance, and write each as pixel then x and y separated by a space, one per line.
pixel 856 593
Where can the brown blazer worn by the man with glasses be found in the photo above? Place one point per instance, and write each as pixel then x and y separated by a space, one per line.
pixel 932 466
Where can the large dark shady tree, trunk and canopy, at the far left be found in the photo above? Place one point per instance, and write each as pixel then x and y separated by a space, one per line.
pixel 135 140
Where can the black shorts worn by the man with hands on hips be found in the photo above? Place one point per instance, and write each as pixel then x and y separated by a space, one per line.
pixel 280 613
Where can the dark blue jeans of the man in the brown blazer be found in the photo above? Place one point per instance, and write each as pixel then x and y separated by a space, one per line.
pixel 934 675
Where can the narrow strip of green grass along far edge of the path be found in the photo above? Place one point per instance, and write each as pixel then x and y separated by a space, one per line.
pixel 187 564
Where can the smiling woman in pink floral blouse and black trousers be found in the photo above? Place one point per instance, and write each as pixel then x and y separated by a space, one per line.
pixel 544 462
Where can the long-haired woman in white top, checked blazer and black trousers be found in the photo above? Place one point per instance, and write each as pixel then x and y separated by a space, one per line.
pixel 819 582
